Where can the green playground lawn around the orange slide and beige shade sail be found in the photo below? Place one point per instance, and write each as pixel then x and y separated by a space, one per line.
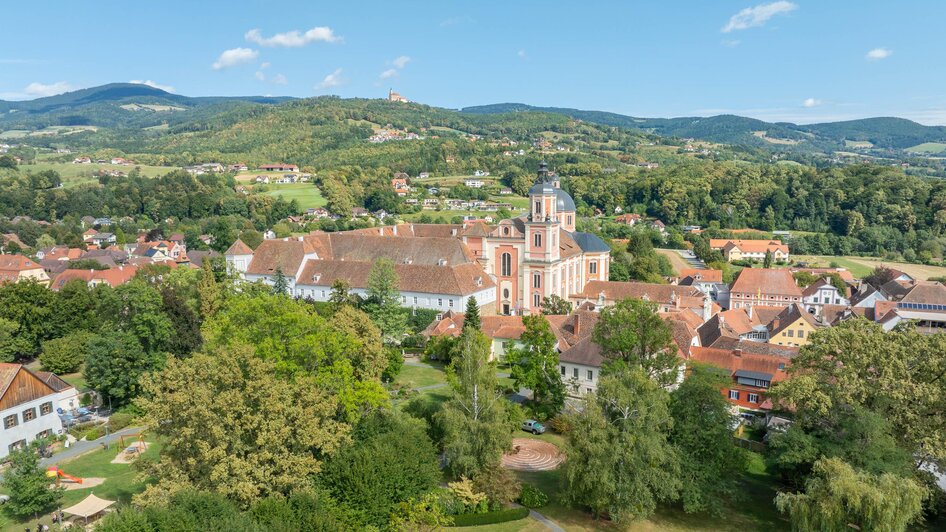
pixel 121 481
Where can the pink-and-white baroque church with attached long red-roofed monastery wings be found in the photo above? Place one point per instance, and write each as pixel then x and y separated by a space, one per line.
pixel 508 268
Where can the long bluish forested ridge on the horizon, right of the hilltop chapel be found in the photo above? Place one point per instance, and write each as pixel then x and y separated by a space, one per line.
pixel 884 133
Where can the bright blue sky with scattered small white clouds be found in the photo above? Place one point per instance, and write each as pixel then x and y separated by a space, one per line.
pixel 800 60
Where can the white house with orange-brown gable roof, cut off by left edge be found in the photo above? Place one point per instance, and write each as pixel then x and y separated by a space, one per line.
pixel 28 406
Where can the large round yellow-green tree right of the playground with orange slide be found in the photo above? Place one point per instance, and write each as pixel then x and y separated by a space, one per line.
pixel 269 434
